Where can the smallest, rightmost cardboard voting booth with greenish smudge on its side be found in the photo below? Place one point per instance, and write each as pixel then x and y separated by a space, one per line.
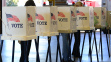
pixel 100 17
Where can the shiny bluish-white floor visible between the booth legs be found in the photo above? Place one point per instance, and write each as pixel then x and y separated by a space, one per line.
pixel 7 49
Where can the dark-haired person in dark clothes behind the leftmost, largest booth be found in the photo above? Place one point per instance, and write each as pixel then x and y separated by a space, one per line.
pixel 27 43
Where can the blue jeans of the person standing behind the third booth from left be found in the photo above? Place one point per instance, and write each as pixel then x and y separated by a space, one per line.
pixel 65 46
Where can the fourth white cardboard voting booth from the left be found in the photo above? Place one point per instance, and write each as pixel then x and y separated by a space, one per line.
pixel 85 18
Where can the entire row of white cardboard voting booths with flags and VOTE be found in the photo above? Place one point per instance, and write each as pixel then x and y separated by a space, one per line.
pixel 26 23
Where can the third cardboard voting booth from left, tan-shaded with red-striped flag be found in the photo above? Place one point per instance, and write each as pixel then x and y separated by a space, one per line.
pixel 66 19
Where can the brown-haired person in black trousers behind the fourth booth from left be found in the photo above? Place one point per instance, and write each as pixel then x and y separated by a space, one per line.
pixel 76 47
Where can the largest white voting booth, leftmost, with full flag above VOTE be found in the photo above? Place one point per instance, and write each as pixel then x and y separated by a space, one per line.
pixel 18 23
